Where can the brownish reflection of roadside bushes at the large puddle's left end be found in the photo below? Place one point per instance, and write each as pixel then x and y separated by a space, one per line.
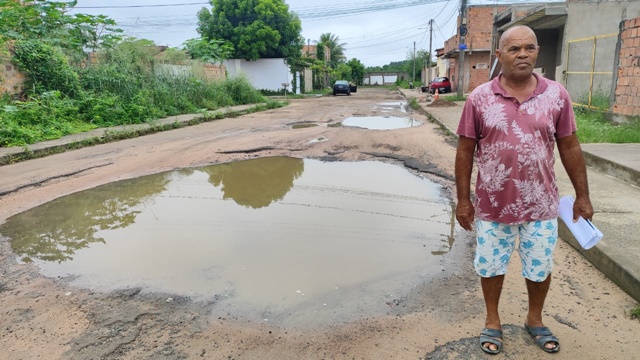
pixel 56 230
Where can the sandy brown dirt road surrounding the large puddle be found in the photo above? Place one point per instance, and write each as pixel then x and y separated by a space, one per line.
pixel 44 318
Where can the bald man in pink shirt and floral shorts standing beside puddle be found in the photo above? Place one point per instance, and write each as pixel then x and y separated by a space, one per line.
pixel 511 125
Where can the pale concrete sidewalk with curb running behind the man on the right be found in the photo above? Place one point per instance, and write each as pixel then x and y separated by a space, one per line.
pixel 614 182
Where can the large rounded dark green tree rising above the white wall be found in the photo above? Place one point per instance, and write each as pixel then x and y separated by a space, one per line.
pixel 255 28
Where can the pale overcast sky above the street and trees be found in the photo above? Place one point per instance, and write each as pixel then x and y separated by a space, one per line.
pixel 375 31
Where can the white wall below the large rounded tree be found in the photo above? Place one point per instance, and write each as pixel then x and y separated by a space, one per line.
pixel 268 74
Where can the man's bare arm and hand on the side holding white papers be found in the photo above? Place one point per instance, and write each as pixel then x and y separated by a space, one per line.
pixel 573 162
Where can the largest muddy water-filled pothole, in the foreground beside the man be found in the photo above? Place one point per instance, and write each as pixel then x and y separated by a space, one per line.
pixel 277 239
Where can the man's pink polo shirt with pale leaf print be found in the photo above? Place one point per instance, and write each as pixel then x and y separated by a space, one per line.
pixel 515 150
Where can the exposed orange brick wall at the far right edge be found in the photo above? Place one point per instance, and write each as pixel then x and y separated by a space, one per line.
pixel 627 93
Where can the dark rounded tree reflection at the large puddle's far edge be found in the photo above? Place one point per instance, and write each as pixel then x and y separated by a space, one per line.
pixel 256 183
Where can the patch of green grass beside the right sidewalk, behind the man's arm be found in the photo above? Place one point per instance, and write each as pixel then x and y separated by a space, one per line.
pixel 593 127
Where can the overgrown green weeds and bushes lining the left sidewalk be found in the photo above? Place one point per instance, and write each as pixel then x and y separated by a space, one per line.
pixel 125 85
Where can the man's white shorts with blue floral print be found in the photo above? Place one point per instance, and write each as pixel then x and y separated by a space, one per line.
pixel 496 242
